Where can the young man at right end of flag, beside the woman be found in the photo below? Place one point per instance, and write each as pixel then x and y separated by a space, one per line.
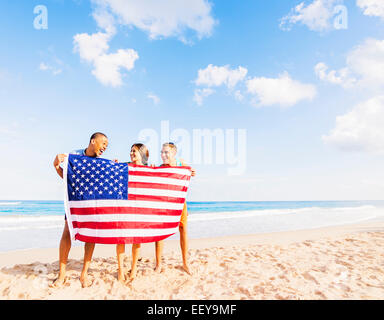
pixel 168 156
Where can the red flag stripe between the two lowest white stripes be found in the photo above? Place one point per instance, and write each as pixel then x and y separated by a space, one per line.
pixel 124 225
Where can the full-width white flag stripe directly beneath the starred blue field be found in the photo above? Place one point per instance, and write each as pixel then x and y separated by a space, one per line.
pixel 126 203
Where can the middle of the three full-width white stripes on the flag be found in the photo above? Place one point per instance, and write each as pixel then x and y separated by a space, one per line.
pixel 124 218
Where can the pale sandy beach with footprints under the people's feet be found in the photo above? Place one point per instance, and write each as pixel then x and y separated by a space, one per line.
pixel 343 262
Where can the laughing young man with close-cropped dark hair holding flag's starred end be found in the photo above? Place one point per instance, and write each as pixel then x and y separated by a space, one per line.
pixel 98 143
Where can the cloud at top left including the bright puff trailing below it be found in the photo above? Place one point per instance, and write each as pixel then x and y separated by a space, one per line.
pixel 159 18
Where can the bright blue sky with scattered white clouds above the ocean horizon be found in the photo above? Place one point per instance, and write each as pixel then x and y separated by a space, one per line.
pixel 51 101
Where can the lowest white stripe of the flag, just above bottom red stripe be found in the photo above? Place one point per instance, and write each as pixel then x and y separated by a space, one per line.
pixel 115 233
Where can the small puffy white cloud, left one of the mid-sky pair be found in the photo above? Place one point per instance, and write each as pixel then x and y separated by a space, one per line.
pixel 214 76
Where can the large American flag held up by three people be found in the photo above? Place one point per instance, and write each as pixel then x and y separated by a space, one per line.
pixel 111 203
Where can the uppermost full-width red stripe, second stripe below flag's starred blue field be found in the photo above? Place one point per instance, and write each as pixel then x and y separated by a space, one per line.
pixel 124 210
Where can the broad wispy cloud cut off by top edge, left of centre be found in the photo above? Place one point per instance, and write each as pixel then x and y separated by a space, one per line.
pixel 164 18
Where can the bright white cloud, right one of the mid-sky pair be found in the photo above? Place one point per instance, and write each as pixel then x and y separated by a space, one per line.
pixel 282 91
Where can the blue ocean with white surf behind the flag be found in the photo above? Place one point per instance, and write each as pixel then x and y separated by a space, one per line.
pixel 39 224
